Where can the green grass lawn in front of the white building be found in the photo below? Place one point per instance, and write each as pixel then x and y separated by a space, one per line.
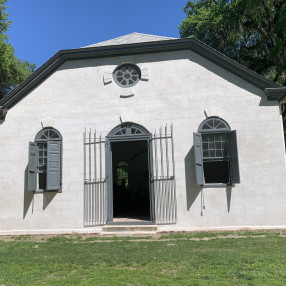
pixel 238 258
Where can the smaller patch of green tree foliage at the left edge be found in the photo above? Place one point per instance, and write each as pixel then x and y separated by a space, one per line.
pixel 12 70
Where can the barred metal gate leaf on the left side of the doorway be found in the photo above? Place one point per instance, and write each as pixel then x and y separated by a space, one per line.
pixel 94 180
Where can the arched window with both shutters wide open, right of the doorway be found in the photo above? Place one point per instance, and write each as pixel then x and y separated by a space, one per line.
pixel 216 156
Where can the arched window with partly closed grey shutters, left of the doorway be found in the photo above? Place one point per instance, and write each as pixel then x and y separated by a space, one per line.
pixel 45 161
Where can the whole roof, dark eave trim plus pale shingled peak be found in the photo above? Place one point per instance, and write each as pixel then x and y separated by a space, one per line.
pixel 134 44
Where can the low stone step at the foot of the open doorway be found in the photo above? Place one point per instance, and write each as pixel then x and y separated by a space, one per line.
pixel 129 230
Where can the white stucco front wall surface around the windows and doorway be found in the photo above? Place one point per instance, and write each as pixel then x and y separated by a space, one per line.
pixel 181 89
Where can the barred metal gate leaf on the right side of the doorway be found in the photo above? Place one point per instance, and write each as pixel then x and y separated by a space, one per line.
pixel 163 180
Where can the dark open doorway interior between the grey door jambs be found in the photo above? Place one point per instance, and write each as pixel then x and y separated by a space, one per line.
pixel 131 198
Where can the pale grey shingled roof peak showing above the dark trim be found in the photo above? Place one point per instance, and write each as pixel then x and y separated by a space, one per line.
pixel 131 39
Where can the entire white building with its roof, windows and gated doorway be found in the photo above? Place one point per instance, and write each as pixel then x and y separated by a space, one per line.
pixel 142 129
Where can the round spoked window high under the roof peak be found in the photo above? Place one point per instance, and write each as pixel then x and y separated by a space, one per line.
pixel 127 75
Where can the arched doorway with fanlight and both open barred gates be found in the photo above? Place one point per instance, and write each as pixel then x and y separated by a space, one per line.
pixel 129 176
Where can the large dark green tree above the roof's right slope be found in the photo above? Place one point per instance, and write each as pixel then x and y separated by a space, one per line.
pixel 252 32
